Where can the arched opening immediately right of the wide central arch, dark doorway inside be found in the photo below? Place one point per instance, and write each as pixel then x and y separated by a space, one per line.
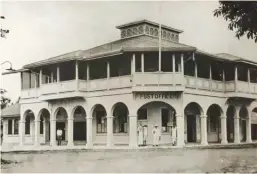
pixel 192 112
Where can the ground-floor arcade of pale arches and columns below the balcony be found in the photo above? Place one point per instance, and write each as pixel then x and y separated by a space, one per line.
pixel 118 125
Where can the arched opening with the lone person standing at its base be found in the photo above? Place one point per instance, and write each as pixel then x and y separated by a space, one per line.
pixel 62 123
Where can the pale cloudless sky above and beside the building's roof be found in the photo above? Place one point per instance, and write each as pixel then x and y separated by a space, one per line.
pixel 40 30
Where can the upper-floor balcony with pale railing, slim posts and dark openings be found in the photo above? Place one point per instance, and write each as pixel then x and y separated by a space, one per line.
pixel 140 72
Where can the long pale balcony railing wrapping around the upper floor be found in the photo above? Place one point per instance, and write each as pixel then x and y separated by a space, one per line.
pixel 141 79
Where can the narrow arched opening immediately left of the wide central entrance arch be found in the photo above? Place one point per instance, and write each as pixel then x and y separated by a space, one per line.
pixel 120 120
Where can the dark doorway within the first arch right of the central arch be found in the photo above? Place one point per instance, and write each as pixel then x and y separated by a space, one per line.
pixel 191 128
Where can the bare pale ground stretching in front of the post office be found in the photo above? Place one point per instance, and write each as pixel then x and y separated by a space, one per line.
pixel 129 161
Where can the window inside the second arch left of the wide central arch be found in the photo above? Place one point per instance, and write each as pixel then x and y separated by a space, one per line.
pixel 101 122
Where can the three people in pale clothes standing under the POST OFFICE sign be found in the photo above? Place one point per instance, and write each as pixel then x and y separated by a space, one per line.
pixel 143 133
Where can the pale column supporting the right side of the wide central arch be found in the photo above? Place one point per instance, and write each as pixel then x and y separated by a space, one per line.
pixel 180 130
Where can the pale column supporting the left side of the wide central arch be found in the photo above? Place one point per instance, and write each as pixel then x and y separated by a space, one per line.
pixel 133 131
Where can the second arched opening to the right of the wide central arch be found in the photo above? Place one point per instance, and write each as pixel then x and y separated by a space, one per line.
pixel 214 113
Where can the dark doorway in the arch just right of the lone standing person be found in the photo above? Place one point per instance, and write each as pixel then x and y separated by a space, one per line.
pixel 79 131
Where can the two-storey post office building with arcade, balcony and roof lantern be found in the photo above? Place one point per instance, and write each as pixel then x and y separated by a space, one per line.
pixel 100 95
